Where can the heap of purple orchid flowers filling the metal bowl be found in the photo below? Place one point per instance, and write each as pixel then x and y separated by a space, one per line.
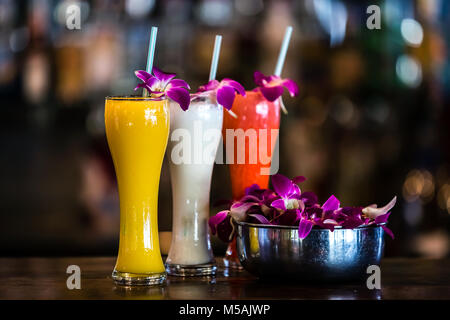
pixel 288 205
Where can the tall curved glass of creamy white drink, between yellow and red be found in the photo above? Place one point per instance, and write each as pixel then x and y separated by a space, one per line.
pixel 195 136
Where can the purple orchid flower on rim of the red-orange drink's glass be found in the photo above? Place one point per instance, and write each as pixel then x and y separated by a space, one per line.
pixel 272 87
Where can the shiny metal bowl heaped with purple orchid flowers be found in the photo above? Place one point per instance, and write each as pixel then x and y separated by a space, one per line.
pixel 287 233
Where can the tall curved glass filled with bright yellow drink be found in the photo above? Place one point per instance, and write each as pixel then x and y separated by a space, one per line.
pixel 137 130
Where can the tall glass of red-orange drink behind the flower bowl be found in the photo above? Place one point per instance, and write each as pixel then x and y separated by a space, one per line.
pixel 253 112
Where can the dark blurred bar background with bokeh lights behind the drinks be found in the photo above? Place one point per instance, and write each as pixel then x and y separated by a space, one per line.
pixel 372 119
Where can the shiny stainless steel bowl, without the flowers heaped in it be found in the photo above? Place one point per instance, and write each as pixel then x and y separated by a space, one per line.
pixel 277 252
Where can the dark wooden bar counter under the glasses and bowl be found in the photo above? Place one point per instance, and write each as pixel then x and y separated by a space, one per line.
pixel 45 278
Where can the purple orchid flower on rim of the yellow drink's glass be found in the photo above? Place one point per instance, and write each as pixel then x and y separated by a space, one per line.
pixel 164 84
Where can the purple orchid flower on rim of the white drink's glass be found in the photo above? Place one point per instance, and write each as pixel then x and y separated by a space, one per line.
pixel 225 91
